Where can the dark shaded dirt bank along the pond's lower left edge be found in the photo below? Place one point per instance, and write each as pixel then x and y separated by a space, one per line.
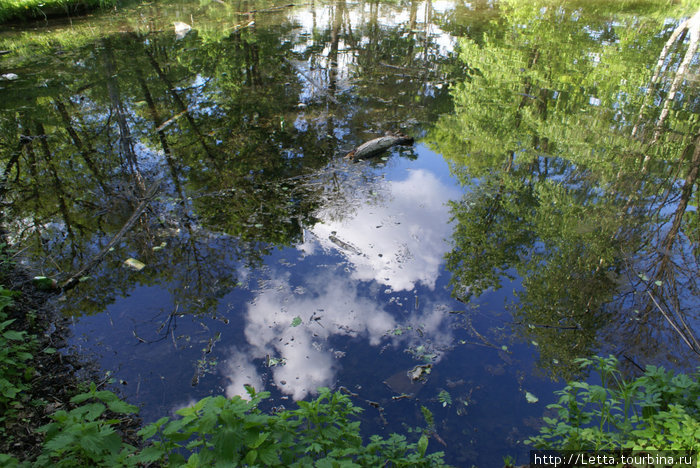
pixel 56 377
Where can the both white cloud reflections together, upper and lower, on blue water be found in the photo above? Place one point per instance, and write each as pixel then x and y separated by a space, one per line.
pixel 398 241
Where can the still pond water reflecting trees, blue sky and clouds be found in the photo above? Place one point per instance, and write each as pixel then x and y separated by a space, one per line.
pixel 190 185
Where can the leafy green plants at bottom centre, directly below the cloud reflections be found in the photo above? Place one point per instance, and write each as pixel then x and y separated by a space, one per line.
pixel 320 432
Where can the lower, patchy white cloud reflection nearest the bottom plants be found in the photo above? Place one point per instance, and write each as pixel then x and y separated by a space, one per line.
pixel 329 305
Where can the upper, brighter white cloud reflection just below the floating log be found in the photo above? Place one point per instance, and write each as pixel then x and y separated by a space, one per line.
pixel 400 242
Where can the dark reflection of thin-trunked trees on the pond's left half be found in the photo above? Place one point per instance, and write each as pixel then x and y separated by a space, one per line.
pixel 214 119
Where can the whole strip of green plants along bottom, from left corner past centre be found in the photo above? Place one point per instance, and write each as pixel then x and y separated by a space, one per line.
pixel 217 431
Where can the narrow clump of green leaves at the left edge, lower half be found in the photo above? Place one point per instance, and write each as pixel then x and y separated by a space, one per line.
pixel 16 350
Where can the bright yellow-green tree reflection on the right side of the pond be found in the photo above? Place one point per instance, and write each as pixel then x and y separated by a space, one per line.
pixel 553 193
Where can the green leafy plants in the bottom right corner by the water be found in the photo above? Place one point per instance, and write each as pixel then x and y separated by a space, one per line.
pixel 657 411
